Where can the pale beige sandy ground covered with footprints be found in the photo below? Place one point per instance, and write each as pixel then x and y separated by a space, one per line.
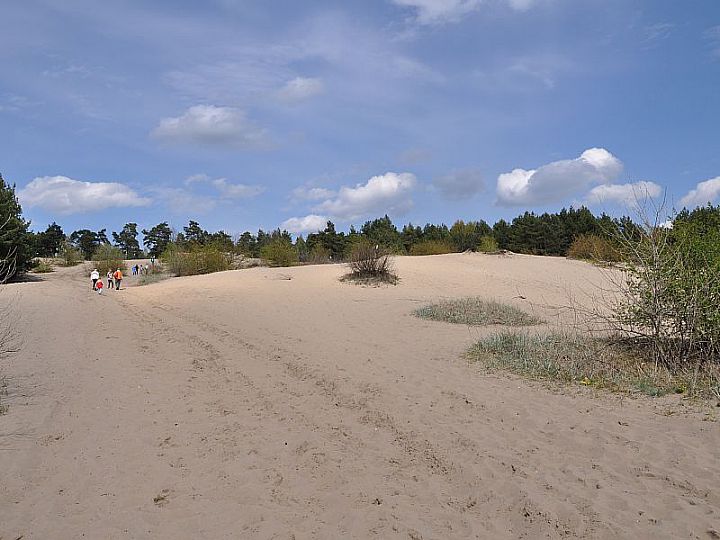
pixel 281 403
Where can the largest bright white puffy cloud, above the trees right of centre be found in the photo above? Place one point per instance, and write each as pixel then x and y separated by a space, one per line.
pixel 555 181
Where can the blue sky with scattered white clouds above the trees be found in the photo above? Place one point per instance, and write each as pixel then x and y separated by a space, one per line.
pixel 247 114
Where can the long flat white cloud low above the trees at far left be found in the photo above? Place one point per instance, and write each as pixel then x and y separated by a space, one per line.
pixel 67 196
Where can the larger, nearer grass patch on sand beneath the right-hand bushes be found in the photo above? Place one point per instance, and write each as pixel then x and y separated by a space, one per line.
pixel 589 361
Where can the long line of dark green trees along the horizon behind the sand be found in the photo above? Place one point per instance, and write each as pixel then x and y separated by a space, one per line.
pixel 529 233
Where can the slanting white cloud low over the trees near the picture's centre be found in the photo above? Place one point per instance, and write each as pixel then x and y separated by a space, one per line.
pixel 382 194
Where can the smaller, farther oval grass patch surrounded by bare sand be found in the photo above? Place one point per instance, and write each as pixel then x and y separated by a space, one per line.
pixel 476 312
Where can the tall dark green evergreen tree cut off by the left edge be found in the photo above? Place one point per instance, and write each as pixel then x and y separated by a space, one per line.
pixel 15 240
